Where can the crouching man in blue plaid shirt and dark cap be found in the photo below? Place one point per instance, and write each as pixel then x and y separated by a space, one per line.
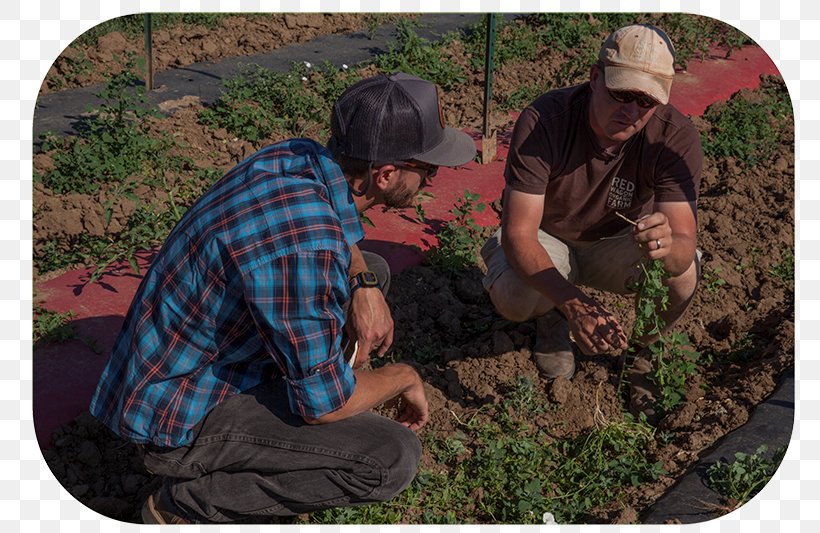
pixel 231 370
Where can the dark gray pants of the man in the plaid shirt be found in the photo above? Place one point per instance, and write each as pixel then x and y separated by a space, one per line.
pixel 252 457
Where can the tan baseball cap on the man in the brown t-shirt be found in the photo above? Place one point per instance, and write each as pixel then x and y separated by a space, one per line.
pixel 639 58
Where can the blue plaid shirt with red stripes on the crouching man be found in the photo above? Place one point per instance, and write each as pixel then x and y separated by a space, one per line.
pixel 248 287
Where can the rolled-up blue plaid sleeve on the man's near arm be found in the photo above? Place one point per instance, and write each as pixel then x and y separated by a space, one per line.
pixel 296 304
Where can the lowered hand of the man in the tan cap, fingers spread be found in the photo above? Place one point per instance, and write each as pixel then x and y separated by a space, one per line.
pixel 596 331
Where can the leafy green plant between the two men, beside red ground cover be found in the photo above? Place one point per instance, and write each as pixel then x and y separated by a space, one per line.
pixel 459 238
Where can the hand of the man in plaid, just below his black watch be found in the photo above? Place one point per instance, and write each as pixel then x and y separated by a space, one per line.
pixel 370 323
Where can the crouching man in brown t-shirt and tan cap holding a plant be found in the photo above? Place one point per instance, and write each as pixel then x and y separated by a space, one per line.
pixel 580 156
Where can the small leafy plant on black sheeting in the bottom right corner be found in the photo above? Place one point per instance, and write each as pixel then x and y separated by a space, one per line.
pixel 740 480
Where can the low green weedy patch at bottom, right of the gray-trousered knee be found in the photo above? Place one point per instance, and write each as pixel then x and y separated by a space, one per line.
pixel 497 469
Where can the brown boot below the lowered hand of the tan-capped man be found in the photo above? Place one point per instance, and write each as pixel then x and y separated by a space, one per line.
pixel 552 349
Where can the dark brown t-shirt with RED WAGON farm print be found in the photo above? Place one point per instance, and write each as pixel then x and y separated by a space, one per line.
pixel 554 152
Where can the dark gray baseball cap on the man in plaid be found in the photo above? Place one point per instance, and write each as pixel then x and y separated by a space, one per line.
pixel 396 118
